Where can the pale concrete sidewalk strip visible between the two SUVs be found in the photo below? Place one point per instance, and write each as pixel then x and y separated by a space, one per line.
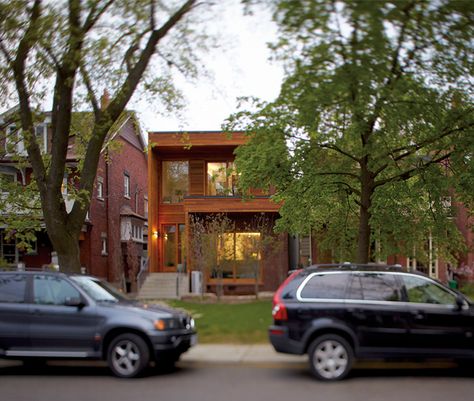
pixel 239 353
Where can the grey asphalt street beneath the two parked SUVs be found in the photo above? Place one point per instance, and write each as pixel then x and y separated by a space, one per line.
pixel 210 381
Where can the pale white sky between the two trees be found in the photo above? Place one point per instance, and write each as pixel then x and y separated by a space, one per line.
pixel 239 68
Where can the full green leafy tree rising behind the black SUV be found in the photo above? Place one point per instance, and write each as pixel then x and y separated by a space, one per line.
pixel 372 131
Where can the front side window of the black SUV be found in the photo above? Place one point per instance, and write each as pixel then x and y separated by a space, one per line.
pixel 421 290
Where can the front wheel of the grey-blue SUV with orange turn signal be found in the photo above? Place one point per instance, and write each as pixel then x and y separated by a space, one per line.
pixel 128 355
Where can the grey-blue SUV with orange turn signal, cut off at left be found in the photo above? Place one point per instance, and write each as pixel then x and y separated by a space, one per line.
pixel 53 315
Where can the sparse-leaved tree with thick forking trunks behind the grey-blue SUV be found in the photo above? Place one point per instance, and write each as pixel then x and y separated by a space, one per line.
pixel 71 51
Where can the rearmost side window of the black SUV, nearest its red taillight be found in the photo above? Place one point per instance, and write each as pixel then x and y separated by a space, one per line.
pixel 325 286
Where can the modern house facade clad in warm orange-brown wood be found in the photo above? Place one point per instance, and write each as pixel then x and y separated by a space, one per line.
pixel 182 184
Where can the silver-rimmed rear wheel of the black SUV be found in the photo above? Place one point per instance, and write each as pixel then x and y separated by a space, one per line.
pixel 330 357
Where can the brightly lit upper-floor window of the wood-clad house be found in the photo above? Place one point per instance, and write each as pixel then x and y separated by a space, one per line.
pixel 221 179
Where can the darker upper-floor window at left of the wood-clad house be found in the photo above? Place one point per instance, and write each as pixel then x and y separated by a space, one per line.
pixel 175 179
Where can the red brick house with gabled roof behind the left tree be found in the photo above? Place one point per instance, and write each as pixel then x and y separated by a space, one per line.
pixel 113 241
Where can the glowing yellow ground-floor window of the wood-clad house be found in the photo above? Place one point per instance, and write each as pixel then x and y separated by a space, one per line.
pixel 238 256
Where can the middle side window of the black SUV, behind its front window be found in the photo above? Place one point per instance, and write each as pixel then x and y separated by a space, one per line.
pixel 374 287
